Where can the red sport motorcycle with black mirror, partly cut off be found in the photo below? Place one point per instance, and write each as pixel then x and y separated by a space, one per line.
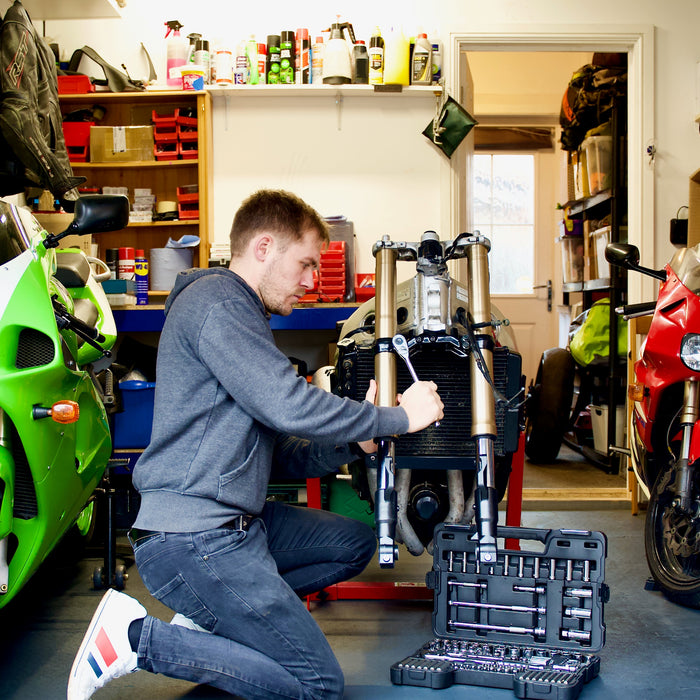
pixel 665 421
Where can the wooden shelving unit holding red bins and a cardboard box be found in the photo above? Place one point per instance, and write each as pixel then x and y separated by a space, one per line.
pixel 161 176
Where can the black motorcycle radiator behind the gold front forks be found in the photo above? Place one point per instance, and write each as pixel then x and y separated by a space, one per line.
pixel 449 445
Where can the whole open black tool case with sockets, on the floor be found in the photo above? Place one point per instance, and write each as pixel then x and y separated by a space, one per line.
pixel 531 622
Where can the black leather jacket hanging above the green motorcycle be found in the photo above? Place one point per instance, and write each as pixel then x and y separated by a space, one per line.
pixel 32 148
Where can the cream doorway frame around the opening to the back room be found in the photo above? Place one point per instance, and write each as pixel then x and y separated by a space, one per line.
pixel 635 40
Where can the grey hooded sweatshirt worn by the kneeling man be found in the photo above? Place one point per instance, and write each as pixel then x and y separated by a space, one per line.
pixel 230 411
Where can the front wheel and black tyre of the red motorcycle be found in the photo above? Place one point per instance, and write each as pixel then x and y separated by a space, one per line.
pixel 672 541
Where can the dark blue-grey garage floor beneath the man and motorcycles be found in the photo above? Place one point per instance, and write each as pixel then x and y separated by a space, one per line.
pixel 650 650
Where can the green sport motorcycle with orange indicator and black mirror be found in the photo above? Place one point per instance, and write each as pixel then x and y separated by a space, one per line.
pixel 56 331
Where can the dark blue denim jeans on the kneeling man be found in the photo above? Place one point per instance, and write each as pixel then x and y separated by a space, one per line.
pixel 245 587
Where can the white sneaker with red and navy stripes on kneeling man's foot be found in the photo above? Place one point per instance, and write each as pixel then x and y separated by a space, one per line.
pixel 105 652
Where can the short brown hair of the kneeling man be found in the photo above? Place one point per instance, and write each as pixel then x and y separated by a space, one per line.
pixel 277 212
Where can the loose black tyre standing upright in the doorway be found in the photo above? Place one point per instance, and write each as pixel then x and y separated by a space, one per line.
pixel 549 405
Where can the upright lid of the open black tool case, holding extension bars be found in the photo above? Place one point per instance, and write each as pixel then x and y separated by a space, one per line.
pixel 551 596
